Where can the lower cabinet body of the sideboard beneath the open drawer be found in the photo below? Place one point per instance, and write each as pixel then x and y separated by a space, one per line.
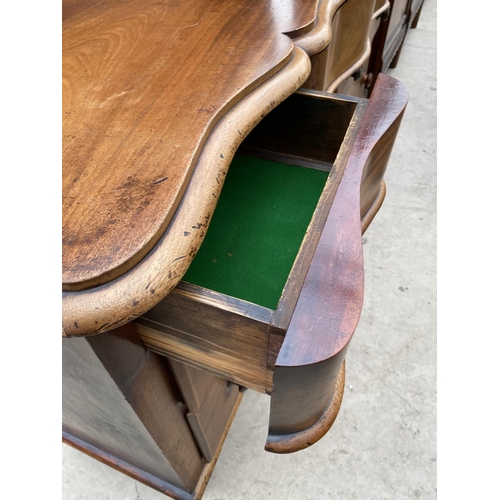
pixel 123 405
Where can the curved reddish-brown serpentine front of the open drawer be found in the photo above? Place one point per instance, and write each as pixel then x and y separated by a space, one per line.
pixel 330 302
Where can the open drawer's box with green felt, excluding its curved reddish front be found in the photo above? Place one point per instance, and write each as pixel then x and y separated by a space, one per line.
pixel 231 312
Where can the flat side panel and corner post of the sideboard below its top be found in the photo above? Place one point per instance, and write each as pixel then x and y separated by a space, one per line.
pixel 117 397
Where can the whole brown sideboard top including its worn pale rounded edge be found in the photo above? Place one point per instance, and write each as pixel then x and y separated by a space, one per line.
pixel 157 97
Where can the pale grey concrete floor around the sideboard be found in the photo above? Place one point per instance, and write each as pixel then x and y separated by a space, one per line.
pixel 383 444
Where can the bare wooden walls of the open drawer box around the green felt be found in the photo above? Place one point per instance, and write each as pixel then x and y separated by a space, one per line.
pixel 232 338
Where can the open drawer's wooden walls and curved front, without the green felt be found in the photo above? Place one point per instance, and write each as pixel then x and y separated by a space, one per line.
pixel 296 352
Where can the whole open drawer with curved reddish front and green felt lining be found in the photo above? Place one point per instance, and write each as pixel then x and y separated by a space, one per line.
pixel 280 321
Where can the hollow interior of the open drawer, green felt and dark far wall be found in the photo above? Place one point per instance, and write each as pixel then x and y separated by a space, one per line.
pixel 271 191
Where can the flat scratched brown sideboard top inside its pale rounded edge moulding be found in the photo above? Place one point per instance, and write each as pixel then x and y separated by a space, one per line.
pixel 144 83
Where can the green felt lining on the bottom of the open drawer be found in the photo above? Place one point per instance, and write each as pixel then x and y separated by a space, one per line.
pixel 257 229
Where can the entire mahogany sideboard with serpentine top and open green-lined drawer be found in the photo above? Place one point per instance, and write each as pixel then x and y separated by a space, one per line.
pixel 215 192
